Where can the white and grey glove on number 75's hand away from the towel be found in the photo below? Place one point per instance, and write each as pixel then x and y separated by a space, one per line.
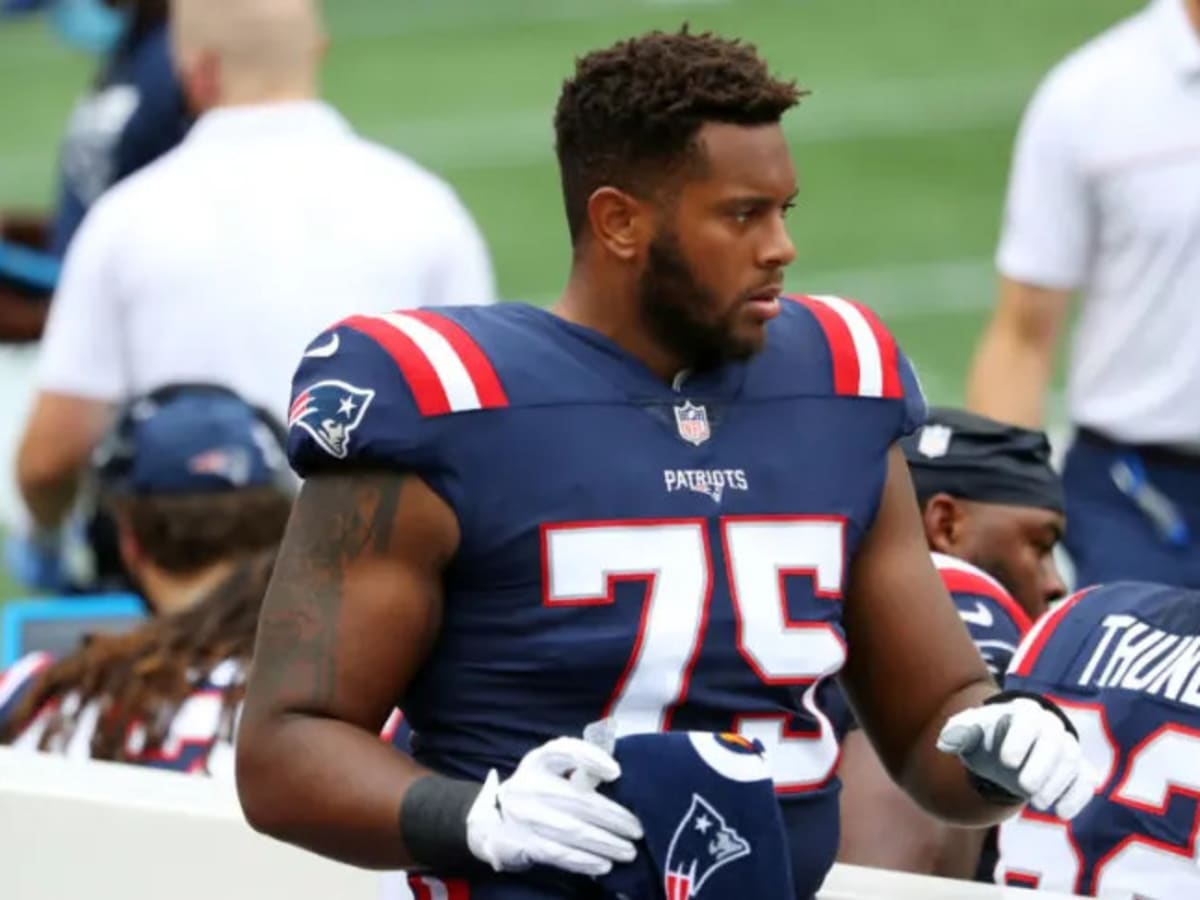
pixel 1027 751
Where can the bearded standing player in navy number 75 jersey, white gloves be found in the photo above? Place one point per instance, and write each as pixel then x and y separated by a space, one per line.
pixel 674 500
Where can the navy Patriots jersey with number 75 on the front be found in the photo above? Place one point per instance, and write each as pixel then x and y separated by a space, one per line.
pixel 673 556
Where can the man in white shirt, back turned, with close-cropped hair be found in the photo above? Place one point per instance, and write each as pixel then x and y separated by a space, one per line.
pixel 220 261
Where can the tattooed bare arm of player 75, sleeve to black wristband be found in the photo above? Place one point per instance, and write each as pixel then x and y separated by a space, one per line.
pixel 353 608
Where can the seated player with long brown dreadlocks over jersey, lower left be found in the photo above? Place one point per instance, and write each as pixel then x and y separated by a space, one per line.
pixel 165 695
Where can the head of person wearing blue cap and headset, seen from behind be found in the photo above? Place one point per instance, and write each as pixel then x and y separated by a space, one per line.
pixel 191 478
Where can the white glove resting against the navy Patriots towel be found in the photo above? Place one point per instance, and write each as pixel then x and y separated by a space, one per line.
pixel 541 818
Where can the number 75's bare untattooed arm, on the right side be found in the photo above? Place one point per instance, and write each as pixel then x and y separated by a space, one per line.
pixel 911 663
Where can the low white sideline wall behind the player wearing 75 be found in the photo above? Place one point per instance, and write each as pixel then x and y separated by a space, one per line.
pixel 104 832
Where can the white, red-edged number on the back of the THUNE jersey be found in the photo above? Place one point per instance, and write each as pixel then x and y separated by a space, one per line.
pixel 1041 851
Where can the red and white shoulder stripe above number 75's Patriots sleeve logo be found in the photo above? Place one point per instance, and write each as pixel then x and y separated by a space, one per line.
pixel 446 368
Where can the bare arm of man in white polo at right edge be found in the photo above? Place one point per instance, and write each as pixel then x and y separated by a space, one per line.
pixel 1015 361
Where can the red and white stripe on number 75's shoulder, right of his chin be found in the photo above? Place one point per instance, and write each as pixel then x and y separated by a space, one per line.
pixel 866 358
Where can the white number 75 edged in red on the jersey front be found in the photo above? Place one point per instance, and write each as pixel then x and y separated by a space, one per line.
pixel 584 562
